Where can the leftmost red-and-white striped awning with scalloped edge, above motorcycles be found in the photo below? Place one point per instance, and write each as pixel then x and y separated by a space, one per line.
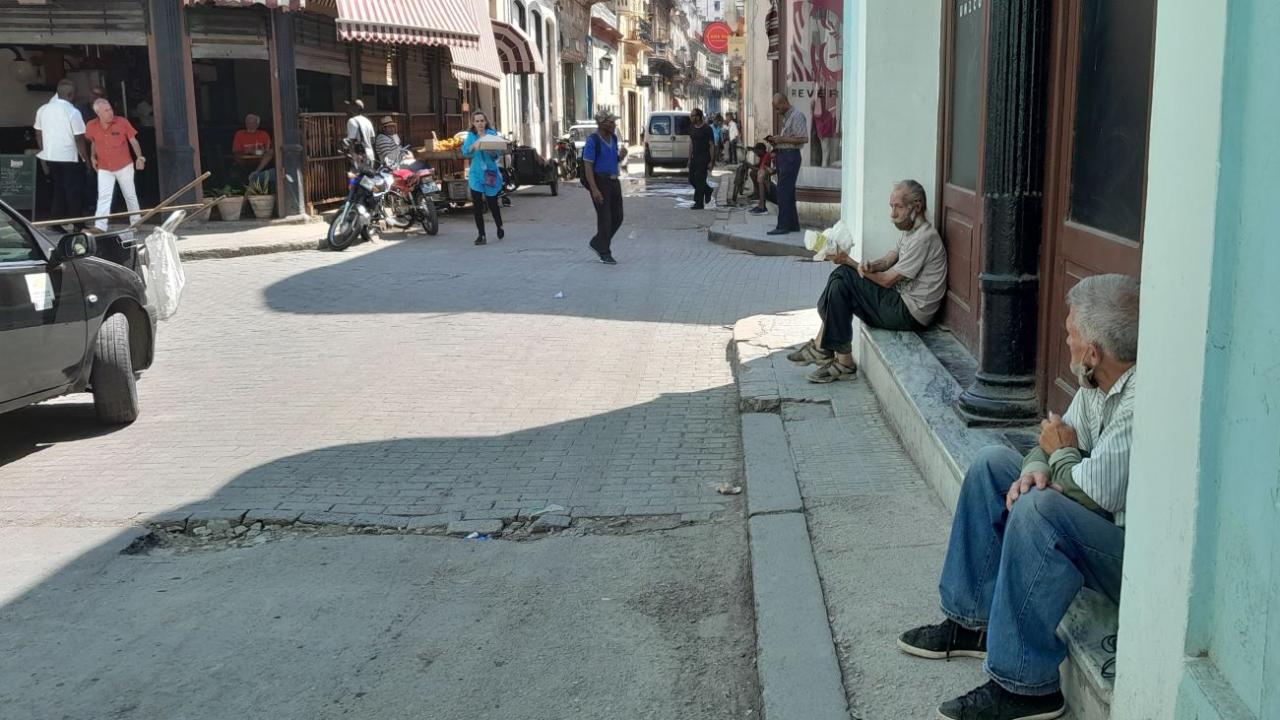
pixel 451 24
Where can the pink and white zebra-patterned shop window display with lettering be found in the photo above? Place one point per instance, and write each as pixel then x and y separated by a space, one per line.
pixel 815 75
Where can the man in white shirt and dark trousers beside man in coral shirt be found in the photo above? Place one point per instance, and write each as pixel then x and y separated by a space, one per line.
pixel 61 135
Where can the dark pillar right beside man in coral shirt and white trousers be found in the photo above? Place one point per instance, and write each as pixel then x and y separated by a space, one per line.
pixel 172 72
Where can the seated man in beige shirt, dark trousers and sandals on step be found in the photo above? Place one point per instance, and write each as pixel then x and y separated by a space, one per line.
pixel 902 291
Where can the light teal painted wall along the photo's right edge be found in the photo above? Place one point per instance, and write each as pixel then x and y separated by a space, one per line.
pixel 1236 609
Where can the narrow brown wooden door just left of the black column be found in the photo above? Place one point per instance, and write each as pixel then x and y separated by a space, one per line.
pixel 964 93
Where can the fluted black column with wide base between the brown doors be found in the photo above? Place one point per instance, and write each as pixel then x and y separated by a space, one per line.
pixel 1013 202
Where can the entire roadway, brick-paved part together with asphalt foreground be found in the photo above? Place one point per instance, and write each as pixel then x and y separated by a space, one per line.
pixel 409 384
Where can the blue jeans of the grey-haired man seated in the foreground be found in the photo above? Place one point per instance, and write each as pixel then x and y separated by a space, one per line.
pixel 1014 575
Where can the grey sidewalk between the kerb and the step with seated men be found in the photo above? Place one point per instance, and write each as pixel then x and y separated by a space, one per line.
pixel 877 530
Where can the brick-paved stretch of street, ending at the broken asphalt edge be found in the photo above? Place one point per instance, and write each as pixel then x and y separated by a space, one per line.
pixel 428 377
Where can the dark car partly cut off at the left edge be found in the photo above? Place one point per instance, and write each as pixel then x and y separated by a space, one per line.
pixel 70 321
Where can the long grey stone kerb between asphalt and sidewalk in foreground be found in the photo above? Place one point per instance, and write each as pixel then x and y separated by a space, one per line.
pixel 797 662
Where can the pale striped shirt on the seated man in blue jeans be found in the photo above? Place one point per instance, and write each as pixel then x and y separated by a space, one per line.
pixel 1104 430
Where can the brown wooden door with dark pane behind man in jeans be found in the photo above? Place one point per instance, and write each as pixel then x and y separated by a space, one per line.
pixel 1098 162
